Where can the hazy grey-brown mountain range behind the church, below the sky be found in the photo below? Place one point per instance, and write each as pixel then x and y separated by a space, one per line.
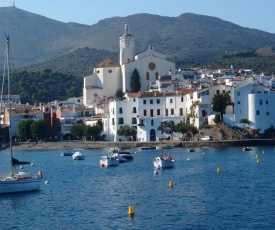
pixel 190 37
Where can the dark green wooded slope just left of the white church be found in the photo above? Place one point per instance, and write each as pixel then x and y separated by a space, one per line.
pixel 45 86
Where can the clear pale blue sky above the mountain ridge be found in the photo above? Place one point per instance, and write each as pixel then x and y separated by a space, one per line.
pixel 258 14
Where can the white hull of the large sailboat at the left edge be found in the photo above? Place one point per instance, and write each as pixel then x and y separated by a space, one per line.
pixel 19 186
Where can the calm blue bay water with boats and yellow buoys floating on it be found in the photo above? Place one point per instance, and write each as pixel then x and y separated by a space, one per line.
pixel 81 195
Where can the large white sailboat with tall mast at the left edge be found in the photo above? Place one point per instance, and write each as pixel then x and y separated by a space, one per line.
pixel 16 181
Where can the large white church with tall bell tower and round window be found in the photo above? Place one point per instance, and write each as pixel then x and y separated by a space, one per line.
pixel 109 76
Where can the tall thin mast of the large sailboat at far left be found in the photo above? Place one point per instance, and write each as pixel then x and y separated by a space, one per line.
pixel 9 102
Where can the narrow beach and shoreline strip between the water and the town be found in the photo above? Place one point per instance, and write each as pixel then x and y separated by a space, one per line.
pixel 65 145
